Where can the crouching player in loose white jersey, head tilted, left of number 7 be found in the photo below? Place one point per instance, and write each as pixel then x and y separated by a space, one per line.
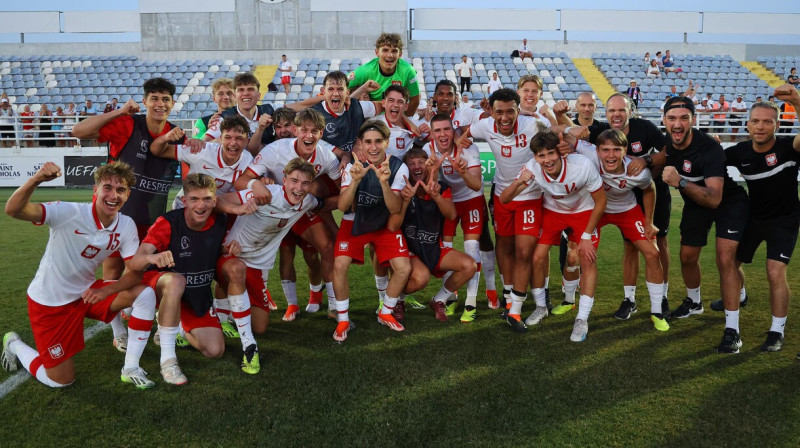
pixel 260 234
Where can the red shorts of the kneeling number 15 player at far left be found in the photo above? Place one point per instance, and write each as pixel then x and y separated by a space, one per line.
pixel 58 330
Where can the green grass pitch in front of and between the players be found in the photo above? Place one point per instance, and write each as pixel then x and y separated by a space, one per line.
pixel 435 383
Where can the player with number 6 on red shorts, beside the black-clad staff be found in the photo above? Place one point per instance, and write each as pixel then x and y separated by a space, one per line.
pixel 622 211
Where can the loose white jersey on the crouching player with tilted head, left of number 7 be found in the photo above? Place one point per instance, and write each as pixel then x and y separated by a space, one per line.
pixel 260 234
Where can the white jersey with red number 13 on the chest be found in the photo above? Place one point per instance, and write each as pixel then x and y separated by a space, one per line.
pixel 510 152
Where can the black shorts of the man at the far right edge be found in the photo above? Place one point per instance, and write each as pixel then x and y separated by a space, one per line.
pixel 780 235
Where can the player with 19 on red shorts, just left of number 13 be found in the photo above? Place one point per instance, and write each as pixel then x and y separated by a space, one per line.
pixel 461 169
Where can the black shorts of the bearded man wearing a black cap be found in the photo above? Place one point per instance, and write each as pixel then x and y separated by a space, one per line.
pixel 730 219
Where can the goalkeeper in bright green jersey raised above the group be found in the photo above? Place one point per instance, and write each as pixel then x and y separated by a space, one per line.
pixel 388 69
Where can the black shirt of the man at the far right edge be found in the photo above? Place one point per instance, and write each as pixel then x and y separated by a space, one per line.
pixel 771 177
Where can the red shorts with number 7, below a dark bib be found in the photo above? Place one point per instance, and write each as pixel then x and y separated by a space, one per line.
pixel 387 244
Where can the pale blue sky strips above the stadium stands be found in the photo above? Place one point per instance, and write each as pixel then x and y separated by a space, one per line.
pixel 771 6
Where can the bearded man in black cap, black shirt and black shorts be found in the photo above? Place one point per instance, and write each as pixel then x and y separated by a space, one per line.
pixel 695 165
